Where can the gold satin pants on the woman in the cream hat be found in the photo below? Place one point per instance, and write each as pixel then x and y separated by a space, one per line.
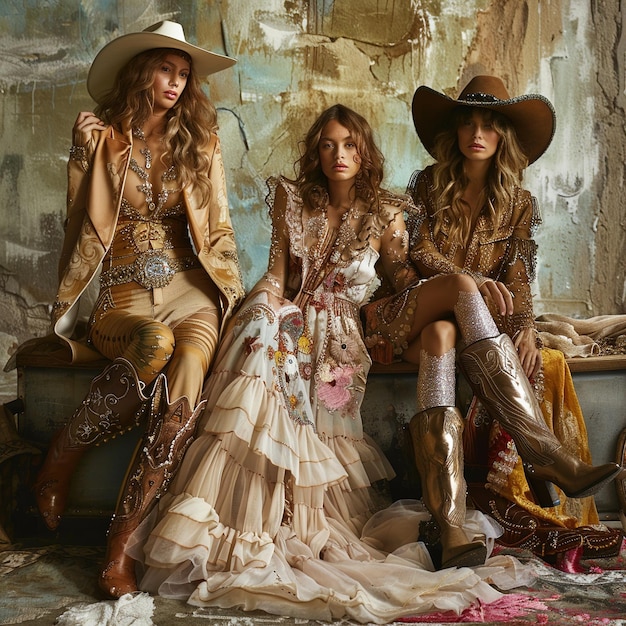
pixel 173 329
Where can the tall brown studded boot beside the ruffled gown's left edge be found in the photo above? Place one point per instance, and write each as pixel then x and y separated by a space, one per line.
pixel 169 434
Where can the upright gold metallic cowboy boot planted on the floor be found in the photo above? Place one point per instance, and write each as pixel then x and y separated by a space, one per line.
pixel 438 446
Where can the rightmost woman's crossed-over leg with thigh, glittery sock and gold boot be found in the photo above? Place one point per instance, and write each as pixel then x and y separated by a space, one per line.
pixel 497 377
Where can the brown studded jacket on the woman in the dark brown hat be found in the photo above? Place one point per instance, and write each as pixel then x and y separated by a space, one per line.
pixel 505 252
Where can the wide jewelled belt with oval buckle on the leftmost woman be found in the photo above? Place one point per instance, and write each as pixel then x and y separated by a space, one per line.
pixel 151 269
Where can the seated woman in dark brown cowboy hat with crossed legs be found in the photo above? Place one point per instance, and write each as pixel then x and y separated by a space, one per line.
pixel 472 244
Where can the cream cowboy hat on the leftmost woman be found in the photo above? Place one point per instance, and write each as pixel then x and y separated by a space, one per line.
pixel 112 58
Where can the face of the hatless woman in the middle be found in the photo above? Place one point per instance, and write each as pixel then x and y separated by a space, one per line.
pixel 339 158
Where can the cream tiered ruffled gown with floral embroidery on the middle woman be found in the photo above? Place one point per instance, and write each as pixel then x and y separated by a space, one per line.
pixel 271 508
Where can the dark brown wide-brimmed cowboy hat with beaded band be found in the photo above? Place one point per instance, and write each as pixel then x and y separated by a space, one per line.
pixel 532 115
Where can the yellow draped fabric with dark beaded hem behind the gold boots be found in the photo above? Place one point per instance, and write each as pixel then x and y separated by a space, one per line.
pixel 497 484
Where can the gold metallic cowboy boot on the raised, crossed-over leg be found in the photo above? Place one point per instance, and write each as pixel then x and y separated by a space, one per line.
pixel 495 374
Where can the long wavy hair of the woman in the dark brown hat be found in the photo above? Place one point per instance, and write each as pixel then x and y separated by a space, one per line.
pixel 450 180
